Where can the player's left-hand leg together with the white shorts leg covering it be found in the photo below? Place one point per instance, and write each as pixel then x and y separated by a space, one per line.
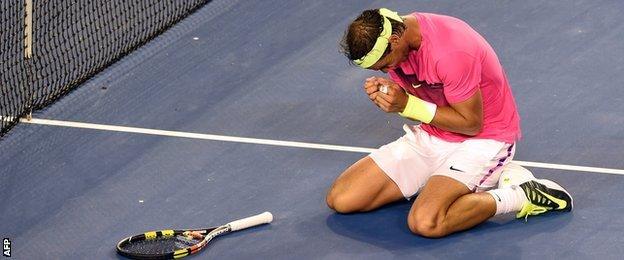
pixel 393 172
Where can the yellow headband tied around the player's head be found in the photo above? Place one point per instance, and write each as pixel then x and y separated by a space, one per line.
pixel 382 41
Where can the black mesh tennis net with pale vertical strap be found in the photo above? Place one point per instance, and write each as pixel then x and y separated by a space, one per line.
pixel 49 47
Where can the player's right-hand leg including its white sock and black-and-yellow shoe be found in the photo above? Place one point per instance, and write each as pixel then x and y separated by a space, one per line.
pixel 446 205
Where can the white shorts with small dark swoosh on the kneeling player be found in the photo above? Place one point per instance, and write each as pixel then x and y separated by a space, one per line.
pixel 412 159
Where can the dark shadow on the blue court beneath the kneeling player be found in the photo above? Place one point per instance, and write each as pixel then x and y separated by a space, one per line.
pixel 387 228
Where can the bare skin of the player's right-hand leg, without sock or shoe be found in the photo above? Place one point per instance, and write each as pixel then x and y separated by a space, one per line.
pixel 445 206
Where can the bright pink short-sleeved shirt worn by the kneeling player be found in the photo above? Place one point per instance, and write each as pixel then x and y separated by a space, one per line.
pixel 453 61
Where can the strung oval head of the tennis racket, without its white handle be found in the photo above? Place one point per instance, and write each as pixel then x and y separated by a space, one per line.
pixel 163 244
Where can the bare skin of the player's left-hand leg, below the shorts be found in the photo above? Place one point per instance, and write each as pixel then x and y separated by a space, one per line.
pixel 362 187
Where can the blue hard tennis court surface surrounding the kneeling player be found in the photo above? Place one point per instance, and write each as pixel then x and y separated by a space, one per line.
pixel 248 106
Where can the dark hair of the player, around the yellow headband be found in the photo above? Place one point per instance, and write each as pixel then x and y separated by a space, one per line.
pixel 362 34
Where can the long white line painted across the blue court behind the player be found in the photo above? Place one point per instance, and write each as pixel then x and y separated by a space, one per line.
pixel 279 143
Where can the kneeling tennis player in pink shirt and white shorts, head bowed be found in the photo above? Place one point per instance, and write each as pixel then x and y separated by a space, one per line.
pixel 445 75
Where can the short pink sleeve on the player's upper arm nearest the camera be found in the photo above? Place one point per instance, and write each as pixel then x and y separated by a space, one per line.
pixel 460 74
